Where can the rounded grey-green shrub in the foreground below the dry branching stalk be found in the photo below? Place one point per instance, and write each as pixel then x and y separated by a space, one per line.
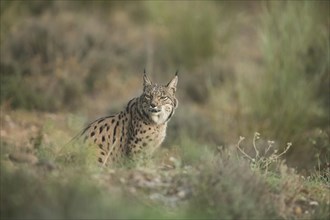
pixel 226 188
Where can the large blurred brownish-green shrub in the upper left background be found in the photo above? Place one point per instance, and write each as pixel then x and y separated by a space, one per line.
pixel 49 60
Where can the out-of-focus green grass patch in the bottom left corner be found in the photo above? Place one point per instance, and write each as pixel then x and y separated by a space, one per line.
pixel 65 196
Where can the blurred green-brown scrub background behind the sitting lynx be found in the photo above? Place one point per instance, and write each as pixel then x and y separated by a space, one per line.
pixel 244 67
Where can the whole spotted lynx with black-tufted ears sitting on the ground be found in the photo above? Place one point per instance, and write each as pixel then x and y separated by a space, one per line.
pixel 138 129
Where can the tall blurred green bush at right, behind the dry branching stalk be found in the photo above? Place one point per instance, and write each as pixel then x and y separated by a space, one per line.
pixel 287 100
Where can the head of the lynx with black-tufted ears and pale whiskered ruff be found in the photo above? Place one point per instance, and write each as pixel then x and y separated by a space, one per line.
pixel 158 102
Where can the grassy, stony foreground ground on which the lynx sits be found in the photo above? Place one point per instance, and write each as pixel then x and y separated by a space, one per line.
pixel 194 181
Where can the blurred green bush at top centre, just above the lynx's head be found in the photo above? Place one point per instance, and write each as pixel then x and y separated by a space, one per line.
pixel 190 30
